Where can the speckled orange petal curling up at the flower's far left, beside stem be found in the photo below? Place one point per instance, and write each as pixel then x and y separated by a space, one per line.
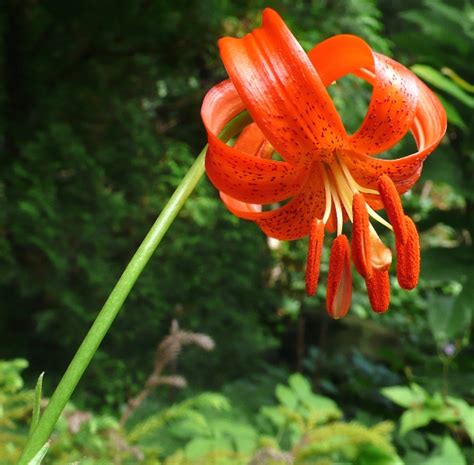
pixel 243 176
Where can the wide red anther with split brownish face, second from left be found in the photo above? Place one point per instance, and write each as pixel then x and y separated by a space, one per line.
pixel 339 285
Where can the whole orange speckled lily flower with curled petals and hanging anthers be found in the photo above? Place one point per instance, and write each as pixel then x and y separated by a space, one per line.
pixel 330 177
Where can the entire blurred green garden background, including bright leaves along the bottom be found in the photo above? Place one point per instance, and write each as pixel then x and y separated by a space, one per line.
pixel 99 123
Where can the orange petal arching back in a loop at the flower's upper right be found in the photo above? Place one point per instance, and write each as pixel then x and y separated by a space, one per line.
pixel 394 96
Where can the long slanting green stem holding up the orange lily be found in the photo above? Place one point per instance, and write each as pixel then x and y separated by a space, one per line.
pixel 117 297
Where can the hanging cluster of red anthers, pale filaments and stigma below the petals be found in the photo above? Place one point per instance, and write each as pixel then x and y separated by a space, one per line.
pixel 346 200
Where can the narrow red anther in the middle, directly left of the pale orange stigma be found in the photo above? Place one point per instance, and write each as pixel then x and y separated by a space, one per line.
pixel 361 248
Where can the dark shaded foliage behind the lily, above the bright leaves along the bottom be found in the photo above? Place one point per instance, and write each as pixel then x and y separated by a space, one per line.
pixel 101 121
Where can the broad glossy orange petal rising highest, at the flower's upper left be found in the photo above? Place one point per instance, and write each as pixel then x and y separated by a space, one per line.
pixel 283 92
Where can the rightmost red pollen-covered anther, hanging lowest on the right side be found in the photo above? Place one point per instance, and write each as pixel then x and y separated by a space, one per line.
pixel 408 257
